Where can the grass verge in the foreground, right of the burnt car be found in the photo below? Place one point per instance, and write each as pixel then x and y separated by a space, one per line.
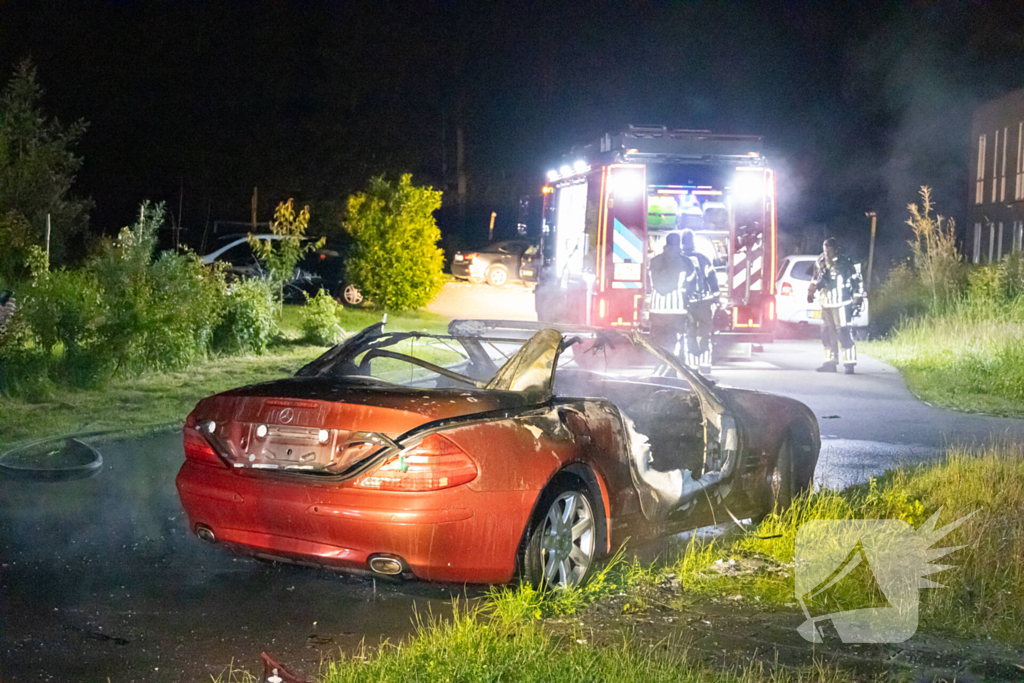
pixel 521 634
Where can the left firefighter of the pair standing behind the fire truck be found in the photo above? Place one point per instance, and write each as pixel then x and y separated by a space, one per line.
pixel 669 272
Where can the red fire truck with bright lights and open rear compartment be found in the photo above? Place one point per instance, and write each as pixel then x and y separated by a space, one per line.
pixel 610 206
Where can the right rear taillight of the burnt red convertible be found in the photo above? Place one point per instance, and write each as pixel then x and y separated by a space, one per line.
pixel 435 464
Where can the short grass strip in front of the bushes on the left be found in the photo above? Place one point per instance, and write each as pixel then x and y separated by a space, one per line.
pixel 158 398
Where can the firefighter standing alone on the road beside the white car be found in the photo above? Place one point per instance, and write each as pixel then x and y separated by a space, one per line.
pixel 840 289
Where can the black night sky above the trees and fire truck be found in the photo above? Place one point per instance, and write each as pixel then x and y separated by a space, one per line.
pixel 197 103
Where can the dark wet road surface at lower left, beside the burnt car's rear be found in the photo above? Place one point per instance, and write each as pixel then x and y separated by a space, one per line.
pixel 101 579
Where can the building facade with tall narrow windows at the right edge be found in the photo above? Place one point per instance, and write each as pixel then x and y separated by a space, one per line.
pixel 997 195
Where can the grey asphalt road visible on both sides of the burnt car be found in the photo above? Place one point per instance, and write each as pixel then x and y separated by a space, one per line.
pixel 100 579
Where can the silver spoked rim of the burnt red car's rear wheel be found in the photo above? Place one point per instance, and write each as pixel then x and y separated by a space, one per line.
pixel 568 540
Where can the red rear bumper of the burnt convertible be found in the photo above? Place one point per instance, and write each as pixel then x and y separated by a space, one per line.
pixel 456 535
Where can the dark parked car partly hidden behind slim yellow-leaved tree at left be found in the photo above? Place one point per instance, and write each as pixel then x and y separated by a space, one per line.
pixel 321 269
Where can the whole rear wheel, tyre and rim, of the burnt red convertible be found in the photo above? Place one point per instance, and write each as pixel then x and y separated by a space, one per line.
pixel 562 547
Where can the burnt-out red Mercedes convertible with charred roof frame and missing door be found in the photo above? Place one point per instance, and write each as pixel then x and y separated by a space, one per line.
pixel 496 450
